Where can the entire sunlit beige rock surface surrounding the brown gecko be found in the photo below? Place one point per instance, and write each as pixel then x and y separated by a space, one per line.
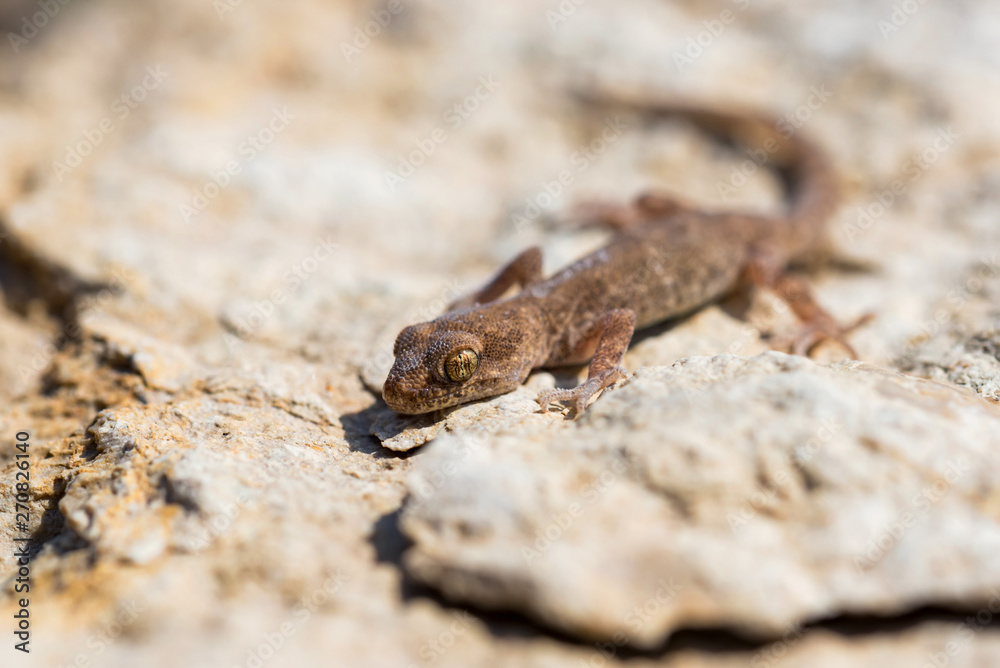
pixel 216 217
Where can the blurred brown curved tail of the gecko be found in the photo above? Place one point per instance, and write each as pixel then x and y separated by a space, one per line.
pixel 807 175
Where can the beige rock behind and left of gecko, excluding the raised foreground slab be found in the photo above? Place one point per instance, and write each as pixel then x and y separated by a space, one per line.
pixel 217 214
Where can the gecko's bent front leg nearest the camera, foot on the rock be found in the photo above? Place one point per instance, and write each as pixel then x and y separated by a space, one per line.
pixel 613 333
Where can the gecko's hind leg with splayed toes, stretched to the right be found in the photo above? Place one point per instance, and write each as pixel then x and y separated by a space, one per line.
pixel 817 325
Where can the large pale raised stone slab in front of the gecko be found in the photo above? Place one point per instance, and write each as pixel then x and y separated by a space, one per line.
pixel 748 493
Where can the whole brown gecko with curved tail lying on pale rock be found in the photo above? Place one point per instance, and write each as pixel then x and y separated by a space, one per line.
pixel 666 260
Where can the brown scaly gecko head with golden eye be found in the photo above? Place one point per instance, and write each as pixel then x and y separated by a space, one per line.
pixel 450 361
